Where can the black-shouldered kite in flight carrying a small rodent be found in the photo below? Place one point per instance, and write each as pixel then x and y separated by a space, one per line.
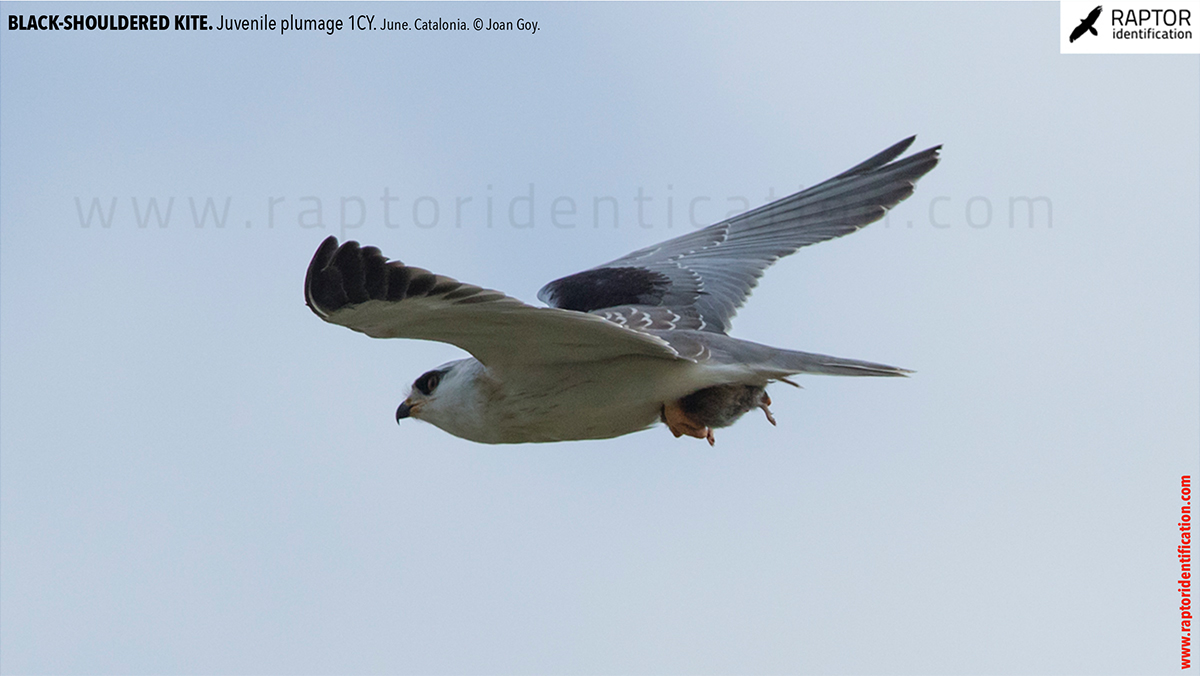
pixel 623 346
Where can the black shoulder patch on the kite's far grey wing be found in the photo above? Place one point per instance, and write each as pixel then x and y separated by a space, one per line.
pixel 607 288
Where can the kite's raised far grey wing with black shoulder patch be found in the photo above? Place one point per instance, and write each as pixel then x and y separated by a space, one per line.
pixel 705 277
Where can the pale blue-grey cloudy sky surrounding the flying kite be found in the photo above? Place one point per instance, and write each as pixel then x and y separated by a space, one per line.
pixel 200 476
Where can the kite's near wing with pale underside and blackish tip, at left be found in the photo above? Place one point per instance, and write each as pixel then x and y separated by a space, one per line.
pixel 357 288
